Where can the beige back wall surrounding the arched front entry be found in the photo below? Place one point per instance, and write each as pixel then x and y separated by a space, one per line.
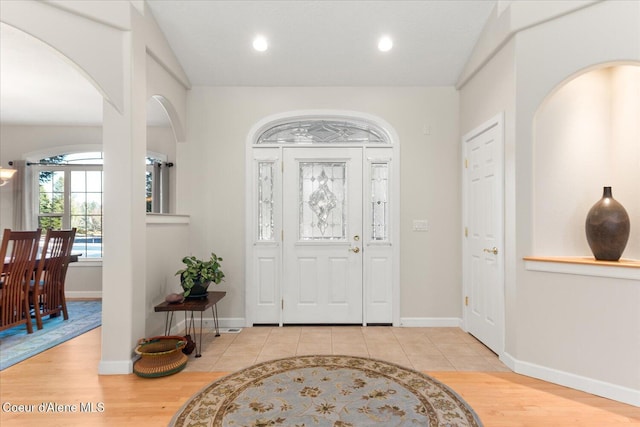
pixel 212 180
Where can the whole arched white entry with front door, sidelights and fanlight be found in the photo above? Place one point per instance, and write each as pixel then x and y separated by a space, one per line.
pixel 322 220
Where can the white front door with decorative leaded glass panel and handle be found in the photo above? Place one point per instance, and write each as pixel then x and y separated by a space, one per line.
pixel 322 235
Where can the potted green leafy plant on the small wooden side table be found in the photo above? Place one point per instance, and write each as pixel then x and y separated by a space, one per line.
pixel 198 274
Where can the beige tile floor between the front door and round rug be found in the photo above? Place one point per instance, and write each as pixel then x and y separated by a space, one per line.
pixel 422 349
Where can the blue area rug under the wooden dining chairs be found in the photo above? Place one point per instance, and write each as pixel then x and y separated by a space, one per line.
pixel 16 345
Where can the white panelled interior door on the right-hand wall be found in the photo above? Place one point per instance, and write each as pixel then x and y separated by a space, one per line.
pixel 484 258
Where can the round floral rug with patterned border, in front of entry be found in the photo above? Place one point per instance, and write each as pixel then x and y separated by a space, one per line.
pixel 337 391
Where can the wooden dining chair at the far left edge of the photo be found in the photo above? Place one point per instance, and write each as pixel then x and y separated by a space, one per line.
pixel 19 251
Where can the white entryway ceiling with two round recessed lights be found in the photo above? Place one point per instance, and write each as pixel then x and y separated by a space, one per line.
pixel 322 43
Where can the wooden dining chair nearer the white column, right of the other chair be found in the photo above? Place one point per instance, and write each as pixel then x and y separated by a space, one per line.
pixel 47 287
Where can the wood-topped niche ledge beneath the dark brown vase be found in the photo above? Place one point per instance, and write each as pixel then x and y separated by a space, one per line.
pixel 585 266
